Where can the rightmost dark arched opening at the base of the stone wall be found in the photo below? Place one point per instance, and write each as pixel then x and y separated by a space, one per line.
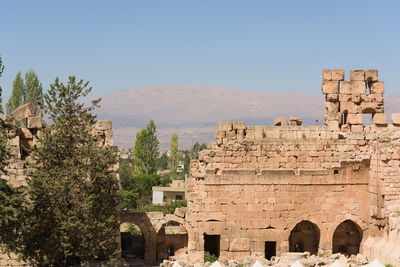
pixel 347 238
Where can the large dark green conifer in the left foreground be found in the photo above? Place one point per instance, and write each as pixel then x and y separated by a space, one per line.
pixel 71 215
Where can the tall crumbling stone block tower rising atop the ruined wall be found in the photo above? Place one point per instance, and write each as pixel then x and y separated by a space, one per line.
pixel 347 101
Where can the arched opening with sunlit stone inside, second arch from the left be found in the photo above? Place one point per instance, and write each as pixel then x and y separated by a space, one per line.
pixel 172 240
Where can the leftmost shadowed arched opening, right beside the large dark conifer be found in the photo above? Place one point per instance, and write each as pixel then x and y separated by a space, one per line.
pixel 132 242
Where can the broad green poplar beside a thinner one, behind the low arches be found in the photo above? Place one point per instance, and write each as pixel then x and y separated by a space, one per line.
pixel 145 152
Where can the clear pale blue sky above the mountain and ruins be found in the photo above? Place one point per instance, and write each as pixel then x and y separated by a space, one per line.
pixel 256 45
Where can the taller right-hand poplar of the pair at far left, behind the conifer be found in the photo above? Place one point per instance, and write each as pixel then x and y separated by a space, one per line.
pixel 33 89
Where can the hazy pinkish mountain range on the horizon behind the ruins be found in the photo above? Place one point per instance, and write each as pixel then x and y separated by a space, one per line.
pixel 193 111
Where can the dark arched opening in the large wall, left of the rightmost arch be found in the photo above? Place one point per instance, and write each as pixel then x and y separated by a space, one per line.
pixel 304 237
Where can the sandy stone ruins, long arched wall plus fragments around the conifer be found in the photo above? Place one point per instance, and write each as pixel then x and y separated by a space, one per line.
pixel 264 190
